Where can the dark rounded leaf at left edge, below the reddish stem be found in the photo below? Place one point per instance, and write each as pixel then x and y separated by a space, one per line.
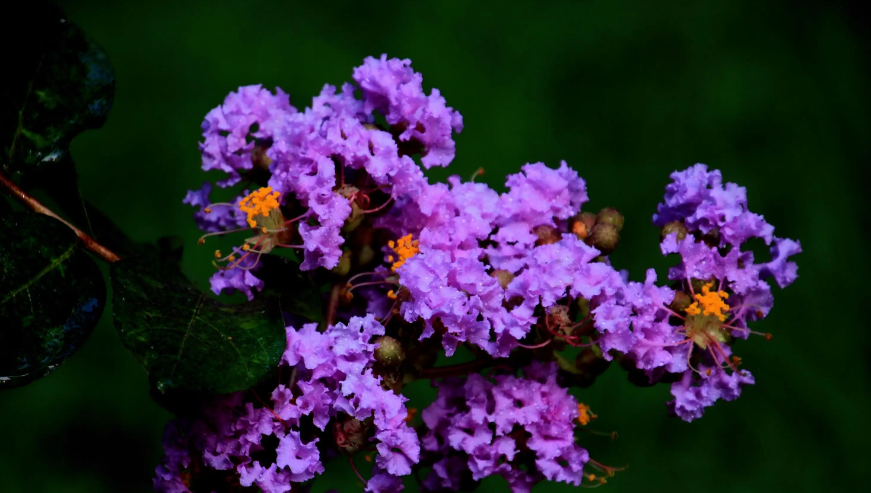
pixel 51 296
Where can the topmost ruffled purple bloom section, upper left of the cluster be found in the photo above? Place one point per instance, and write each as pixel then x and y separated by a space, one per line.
pixel 314 156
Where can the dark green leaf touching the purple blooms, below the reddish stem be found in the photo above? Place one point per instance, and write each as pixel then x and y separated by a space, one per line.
pixel 185 339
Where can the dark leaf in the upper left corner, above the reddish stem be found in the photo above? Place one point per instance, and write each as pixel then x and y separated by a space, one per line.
pixel 58 83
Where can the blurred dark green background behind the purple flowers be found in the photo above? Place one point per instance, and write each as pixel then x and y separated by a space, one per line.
pixel 774 93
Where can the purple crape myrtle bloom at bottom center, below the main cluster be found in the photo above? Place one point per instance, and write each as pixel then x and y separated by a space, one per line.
pixel 478 427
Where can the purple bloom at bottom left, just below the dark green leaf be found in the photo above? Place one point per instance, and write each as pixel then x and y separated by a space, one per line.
pixel 334 381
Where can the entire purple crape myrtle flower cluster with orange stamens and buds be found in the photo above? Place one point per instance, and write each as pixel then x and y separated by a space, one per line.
pixel 412 271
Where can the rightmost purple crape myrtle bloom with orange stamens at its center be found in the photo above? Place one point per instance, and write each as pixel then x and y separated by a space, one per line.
pixel 720 289
